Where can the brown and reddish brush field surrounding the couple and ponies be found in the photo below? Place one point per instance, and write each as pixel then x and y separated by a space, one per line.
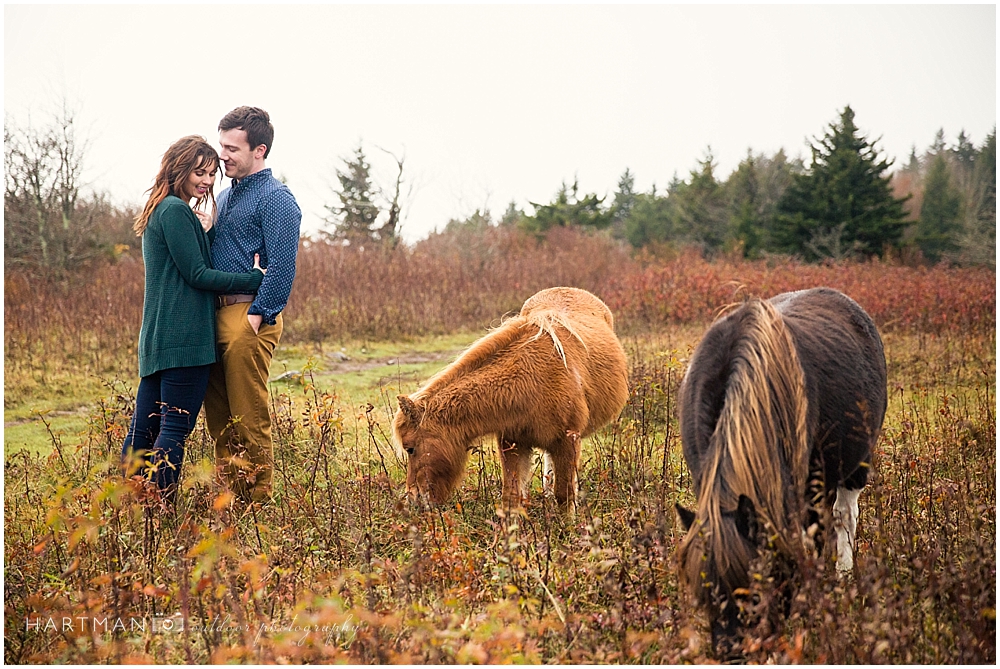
pixel 342 569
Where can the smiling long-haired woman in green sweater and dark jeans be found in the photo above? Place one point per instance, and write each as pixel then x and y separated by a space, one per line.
pixel 177 339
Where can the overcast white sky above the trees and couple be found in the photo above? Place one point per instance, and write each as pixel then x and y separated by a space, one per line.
pixel 497 103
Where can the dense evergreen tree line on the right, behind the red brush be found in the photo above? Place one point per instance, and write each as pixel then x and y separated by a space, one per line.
pixel 844 204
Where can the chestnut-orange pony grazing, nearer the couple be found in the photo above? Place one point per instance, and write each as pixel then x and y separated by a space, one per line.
pixel 544 379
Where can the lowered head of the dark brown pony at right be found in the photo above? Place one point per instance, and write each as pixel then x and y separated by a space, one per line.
pixel 714 559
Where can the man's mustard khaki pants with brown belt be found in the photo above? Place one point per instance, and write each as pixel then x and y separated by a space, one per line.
pixel 237 403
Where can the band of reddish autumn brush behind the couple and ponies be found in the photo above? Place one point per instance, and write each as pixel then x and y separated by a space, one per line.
pixel 470 279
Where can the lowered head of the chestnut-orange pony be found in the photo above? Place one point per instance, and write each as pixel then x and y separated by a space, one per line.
pixel 435 460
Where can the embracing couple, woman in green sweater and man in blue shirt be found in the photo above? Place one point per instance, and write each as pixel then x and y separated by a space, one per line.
pixel 218 275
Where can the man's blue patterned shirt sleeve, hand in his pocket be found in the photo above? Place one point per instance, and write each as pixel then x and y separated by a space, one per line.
pixel 280 222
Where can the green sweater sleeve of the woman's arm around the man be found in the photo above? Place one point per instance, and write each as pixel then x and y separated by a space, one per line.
pixel 180 231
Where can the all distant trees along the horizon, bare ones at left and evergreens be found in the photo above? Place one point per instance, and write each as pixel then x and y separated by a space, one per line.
pixel 941 205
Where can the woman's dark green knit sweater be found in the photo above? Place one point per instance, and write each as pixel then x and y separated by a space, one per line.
pixel 178 311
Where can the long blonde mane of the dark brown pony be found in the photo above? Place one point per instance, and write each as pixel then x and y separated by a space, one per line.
pixel 759 448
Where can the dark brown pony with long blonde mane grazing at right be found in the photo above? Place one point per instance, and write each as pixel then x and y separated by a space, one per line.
pixel 780 407
